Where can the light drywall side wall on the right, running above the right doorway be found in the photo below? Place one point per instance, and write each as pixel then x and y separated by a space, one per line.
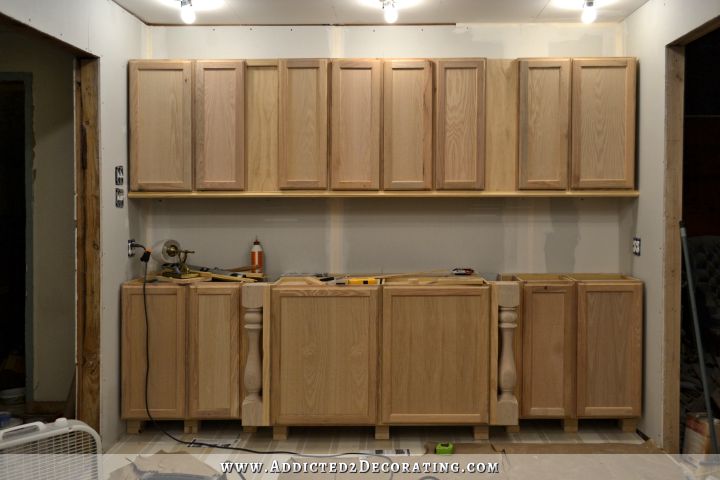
pixel 647 32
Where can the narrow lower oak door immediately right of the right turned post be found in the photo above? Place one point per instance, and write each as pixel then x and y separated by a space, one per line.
pixel 549 344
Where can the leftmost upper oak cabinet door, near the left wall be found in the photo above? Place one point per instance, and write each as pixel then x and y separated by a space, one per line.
pixel 160 125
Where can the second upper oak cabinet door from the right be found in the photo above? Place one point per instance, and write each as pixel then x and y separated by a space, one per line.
pixel 544 124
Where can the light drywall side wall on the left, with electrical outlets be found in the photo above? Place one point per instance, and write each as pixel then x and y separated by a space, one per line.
pixel 101 28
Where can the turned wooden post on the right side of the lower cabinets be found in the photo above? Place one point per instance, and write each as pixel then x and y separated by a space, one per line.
pixel 508 295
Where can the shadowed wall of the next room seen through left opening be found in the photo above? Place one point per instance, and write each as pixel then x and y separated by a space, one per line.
pixel 52 209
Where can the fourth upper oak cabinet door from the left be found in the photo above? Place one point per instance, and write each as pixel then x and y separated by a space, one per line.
pixel 355 124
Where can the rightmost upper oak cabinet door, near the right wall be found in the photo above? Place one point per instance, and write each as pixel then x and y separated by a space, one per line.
pixel 580 179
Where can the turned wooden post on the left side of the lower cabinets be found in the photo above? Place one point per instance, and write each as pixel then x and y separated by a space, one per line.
pixel 252 406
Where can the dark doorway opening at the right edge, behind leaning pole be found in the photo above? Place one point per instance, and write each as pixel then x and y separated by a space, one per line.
pixel 701 214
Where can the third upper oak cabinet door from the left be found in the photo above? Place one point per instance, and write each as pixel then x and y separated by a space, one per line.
pixel 316 177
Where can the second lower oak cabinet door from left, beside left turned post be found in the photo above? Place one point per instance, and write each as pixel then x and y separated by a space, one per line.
pixel 214 351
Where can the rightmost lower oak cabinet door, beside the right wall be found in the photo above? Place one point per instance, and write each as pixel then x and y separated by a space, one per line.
pixel 632 365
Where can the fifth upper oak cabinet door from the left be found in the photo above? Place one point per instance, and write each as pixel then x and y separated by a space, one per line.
pixel 407 129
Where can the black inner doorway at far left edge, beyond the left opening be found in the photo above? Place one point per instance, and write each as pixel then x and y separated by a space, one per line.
pixel 15 321
